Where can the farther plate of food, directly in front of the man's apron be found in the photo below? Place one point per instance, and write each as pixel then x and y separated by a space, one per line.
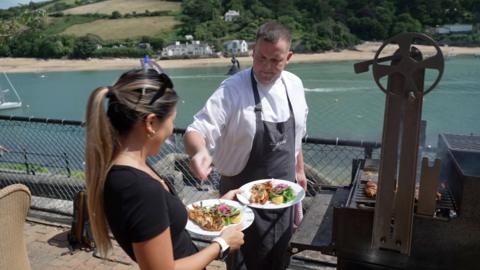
pixel 270 194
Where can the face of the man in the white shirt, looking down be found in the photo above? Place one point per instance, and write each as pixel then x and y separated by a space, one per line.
pixel 269 59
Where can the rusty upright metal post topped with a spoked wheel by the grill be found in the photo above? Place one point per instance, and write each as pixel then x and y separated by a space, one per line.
pixel 394 208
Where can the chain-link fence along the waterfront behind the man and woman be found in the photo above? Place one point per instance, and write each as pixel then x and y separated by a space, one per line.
pixel 48 156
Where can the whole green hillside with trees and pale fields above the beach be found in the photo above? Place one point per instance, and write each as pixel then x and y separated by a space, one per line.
pixel 117 28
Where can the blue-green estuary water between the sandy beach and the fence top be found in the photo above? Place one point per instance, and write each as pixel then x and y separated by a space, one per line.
pixel 342 104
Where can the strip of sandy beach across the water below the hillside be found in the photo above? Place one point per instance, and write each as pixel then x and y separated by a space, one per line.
pixel 364 51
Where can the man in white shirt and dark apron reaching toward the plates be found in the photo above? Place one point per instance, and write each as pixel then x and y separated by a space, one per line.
pixel 253 125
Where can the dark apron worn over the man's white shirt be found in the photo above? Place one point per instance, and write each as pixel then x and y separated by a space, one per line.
pixel 272 156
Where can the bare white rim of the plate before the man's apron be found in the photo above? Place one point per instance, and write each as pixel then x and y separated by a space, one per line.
pixel 245 195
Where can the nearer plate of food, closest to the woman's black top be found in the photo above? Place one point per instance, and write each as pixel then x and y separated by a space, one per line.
pixel 210 217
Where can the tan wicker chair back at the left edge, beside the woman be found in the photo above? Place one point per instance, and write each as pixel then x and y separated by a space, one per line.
pixel 14 204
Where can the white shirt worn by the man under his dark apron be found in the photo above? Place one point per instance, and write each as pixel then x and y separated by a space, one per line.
pixel 227 121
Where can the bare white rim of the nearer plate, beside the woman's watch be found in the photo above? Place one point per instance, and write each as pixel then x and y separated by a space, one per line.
pixel 247 216
